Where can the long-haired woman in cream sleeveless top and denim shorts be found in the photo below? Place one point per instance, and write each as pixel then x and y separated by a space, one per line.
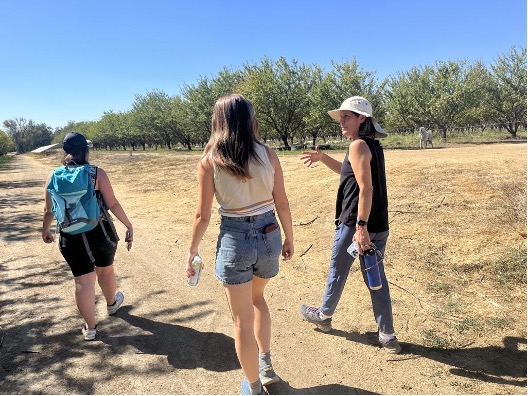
pixel 246 178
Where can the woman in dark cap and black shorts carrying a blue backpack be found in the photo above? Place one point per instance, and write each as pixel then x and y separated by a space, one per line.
pixel 78 194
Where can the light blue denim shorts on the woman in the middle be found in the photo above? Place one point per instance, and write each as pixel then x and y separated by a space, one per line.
pixel 243 249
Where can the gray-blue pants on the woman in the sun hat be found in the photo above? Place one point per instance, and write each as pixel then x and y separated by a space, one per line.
pixel 340 264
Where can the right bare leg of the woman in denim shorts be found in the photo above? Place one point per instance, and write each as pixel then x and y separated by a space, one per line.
pixel 262 315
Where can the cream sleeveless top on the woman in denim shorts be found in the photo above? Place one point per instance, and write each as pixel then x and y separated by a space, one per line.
pixel 252 197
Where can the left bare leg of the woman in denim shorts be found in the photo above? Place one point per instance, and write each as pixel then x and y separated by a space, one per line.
pixel 240 301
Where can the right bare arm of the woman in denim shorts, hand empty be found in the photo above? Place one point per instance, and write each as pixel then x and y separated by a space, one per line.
pixel 282 206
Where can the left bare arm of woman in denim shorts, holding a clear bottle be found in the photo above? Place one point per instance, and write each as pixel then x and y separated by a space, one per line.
pixel 203 209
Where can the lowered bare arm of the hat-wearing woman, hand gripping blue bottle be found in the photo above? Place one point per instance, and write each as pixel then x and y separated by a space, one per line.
pixel 360 156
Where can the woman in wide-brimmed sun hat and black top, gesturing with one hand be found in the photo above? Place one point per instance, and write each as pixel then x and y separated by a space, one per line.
pixel 361 216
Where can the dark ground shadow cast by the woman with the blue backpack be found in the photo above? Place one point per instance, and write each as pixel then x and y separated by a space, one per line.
pixel 184 347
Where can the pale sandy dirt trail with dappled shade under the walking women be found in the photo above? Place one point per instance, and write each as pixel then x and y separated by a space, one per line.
pixel 172 339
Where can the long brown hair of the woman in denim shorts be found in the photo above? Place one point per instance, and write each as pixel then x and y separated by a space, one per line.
pixel 234 131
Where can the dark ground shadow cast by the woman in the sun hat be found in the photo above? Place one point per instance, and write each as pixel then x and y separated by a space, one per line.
pixel 489 364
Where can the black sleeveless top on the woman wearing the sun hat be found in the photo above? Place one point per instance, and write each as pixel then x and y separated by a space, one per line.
pixel 348 192
